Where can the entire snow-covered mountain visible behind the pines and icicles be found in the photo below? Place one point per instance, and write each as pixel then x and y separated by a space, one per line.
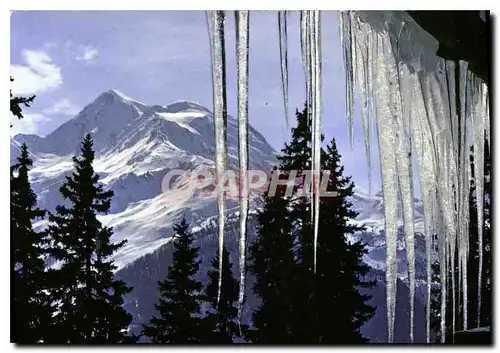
pixel 136 146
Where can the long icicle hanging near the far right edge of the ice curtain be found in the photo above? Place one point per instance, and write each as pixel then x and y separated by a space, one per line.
pixel 479 117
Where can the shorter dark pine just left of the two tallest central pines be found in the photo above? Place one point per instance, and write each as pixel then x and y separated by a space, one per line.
pixel 272 263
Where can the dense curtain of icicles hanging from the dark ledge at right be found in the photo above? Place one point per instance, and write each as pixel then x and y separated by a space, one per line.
pixel 416 110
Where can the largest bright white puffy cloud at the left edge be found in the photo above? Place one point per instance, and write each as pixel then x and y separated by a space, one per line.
pixel 37 75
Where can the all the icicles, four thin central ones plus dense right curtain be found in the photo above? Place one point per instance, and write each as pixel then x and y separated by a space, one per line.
pixel 413 111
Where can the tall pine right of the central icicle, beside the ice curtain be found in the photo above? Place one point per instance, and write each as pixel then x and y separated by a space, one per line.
pixel 340 270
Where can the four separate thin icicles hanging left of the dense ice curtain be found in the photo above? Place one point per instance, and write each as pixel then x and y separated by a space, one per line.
pixel 311 52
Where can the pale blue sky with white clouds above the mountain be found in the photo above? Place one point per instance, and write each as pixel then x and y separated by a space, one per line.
pixel 67 58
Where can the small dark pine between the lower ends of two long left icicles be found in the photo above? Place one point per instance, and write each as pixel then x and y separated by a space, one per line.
pixel 222 318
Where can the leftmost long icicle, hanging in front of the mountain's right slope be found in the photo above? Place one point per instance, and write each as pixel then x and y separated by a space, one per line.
pixel 216 26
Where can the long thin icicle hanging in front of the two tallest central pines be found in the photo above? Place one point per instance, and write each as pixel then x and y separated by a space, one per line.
pixel 316 117
